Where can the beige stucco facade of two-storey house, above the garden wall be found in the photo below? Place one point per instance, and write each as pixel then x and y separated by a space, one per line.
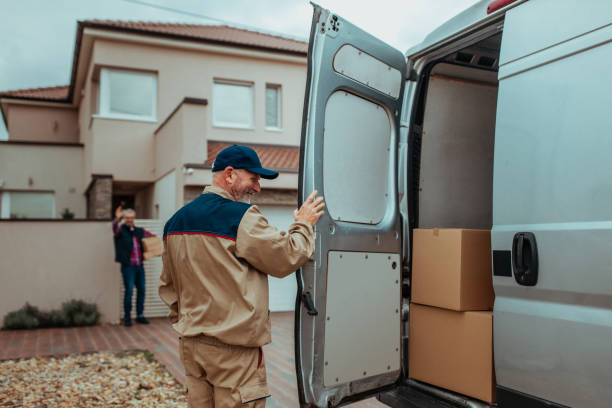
pixel 139 153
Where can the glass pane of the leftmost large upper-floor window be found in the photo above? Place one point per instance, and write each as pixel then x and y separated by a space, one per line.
pixel 131 93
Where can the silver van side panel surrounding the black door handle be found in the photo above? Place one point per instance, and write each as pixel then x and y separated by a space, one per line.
pixel 553 178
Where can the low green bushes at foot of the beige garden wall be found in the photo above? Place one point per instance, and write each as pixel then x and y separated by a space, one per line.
pixel 72 313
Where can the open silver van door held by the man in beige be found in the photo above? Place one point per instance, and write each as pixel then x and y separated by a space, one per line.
pixel 348 320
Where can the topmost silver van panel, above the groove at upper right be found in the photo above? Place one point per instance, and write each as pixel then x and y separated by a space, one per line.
pixel 550 23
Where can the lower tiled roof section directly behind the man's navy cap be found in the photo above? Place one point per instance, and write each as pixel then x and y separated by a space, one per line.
pixel 280 158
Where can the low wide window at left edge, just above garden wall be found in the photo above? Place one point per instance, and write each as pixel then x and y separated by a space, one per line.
pixel 27 205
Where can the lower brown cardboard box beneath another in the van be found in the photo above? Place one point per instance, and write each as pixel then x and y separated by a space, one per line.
pixel 453 350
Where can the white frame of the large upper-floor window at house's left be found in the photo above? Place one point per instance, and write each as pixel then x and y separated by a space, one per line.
pixel 104 96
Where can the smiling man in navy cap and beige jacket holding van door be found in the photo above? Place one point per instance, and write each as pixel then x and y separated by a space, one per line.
pixel 218 253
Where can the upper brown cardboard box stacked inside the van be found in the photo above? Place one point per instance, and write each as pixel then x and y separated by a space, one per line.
pixel 451 268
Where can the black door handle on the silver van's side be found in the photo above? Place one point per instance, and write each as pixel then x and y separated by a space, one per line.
pixel 525 258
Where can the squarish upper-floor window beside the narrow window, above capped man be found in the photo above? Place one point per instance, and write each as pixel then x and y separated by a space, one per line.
pixel 233 104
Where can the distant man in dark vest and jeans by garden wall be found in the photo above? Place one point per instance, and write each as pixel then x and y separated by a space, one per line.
pixel 128 252
